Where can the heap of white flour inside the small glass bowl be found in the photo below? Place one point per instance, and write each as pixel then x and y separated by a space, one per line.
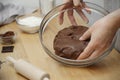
pixel 31 21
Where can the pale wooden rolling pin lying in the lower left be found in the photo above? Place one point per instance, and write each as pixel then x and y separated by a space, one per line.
pixel 28 70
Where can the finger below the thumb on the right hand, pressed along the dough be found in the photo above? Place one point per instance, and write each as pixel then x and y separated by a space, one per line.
pixel 87 51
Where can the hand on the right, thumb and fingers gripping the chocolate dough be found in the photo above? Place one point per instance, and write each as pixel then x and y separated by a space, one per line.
pixel 101 34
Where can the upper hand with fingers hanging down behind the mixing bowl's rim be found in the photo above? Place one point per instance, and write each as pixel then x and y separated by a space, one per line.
pixel 74 3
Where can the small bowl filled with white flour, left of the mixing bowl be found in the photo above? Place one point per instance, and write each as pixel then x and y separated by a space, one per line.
pixel 29 24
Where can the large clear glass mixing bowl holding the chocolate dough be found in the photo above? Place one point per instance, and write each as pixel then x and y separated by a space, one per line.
pixel 50 27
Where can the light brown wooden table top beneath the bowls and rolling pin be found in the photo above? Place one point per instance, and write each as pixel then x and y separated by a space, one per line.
pixel 28 47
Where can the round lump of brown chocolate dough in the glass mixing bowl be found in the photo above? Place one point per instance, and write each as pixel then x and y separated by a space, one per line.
pixel 67 43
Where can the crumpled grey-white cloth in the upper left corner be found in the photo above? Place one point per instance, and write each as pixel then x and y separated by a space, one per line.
pixel 8 12
